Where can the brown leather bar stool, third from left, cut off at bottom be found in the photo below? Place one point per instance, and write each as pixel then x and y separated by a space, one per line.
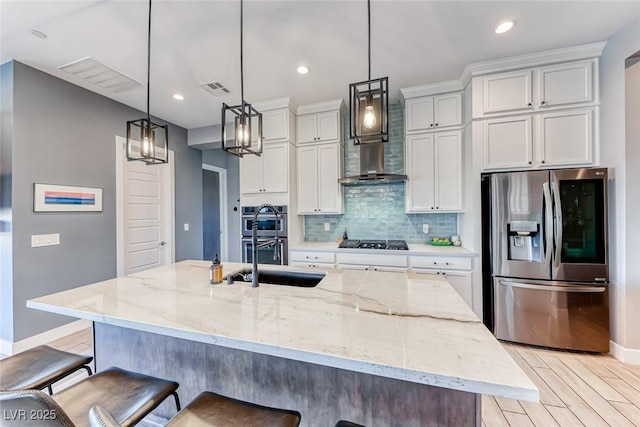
pixel 214 410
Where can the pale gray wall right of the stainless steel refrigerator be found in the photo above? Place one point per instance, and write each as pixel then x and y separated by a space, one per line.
pixel 625 275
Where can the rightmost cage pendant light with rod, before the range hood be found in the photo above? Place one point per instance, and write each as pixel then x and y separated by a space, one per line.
pixel 369 104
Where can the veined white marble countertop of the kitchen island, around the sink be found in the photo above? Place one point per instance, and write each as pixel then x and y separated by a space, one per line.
pixel 398 325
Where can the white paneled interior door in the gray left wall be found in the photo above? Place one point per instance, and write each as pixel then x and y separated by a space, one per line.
pixel 145 213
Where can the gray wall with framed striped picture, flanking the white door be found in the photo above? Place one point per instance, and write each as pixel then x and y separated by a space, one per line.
pixel 64 134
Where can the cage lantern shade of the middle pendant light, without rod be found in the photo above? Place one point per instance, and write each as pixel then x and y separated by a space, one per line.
pixel 247 131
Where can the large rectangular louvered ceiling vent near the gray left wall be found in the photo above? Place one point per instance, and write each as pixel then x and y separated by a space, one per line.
pixel 96 73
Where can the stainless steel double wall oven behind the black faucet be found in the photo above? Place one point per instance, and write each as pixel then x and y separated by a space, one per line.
pixel 268 224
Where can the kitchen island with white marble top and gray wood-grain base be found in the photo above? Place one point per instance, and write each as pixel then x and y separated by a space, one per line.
pixel 373 347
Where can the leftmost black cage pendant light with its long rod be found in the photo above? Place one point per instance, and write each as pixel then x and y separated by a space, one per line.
pixel 147 141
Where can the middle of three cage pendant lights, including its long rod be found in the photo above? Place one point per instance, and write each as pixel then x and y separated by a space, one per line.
pixel 247 137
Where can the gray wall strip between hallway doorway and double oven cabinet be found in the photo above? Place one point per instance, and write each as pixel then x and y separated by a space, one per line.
pixel 219 158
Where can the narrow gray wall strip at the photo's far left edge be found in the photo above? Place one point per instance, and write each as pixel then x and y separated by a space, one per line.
pixel 6 259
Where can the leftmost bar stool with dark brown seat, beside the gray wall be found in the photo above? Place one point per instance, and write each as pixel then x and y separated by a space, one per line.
pixel 40 367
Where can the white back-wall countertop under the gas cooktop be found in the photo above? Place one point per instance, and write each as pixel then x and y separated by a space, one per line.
pixel 414 249
